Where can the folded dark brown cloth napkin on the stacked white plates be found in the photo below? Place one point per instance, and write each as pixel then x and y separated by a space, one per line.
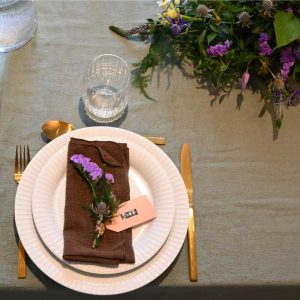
pixel 114 247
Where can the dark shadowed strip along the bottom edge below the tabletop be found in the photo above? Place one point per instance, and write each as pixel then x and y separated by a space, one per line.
pixel 162 293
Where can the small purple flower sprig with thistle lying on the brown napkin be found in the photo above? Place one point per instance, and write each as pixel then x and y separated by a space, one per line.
pixel 104 203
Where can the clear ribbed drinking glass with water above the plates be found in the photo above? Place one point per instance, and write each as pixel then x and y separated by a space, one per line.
pixel 106 83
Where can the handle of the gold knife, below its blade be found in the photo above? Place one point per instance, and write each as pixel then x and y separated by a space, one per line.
pixel 192 247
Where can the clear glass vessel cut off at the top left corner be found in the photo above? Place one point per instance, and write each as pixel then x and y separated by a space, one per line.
pixel 18 23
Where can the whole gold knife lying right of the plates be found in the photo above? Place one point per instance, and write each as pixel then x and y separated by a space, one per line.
pixel 186 173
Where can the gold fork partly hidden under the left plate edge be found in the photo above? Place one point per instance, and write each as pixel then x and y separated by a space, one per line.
pixel 21 162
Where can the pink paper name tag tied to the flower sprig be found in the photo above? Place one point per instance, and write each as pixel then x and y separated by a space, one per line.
pixel 132 213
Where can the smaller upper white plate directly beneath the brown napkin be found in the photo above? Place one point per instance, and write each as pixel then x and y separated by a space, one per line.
pixel 146 176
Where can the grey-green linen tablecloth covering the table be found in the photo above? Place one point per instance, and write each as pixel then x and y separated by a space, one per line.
pixel 246 182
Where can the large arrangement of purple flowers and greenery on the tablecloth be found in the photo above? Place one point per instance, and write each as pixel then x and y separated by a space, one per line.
pixel 226 43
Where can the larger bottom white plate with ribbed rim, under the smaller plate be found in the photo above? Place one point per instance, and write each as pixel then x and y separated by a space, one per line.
pixel 85 282
